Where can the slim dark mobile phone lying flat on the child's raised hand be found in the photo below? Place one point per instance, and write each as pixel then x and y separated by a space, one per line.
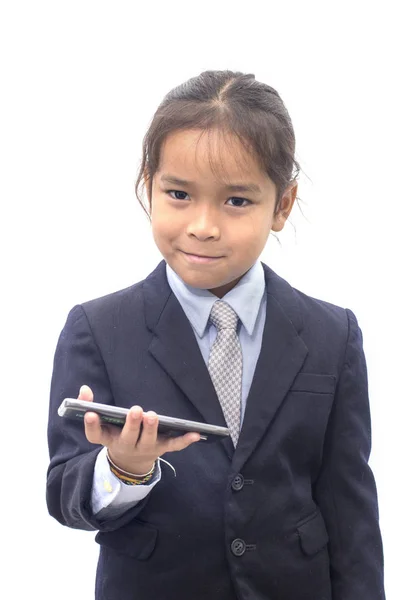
pixel 72 408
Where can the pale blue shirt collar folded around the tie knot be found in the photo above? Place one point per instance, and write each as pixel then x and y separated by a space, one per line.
pixel 245 298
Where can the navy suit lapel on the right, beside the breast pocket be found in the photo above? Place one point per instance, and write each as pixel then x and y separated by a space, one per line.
pixel 281 357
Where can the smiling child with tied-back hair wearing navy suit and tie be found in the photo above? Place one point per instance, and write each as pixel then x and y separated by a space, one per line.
pixel 286 507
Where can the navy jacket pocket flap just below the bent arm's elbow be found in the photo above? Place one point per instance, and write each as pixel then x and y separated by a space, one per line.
pixel 136 539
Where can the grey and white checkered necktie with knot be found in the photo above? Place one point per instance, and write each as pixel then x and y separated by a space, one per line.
pixel 225 365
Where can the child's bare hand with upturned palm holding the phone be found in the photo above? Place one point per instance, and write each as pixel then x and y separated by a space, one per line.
pixel 136 445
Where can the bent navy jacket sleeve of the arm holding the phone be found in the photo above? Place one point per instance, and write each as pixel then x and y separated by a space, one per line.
pixel 70 475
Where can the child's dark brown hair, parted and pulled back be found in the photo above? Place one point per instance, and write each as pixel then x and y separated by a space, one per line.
pixel 231 102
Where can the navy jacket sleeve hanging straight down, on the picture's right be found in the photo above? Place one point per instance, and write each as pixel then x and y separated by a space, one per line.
pixel 345 490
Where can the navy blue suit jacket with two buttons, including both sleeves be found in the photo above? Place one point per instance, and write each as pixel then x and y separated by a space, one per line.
pixel 290 514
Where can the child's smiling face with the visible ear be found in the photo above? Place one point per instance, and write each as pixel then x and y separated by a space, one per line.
pixel 204 217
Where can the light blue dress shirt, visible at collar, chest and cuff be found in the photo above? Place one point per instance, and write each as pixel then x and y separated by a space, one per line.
pixel 249 300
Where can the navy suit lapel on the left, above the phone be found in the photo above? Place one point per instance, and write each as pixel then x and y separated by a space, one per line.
pixel 175 348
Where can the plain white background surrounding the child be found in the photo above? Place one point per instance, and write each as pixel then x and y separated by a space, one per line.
pixel 79 84
